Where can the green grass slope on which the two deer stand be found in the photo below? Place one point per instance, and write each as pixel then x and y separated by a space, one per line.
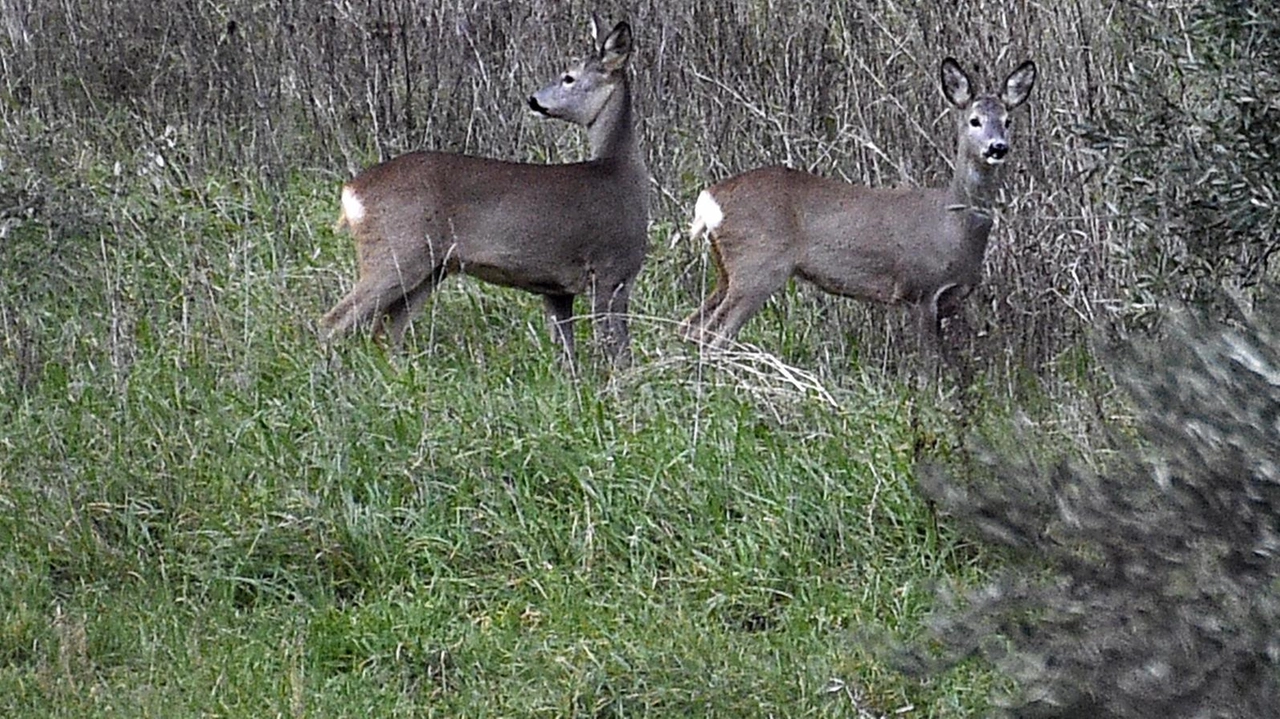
pixel 207 512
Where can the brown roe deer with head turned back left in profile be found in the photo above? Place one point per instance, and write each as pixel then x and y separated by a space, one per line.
pixel 556 231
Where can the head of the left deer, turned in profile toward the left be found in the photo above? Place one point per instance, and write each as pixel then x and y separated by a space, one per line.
pixel 583 91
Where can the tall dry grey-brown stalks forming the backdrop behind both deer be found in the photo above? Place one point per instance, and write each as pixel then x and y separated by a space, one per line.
pixel 843 89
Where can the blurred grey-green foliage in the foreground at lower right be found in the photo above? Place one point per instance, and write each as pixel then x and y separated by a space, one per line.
pixel 1149 589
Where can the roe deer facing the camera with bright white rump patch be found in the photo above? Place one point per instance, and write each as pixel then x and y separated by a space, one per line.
pixel 915 246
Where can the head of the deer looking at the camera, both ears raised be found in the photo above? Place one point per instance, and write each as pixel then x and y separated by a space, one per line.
pixel 985 118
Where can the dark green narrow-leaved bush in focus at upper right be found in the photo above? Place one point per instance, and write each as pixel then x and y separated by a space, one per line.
pixel 1195 144
